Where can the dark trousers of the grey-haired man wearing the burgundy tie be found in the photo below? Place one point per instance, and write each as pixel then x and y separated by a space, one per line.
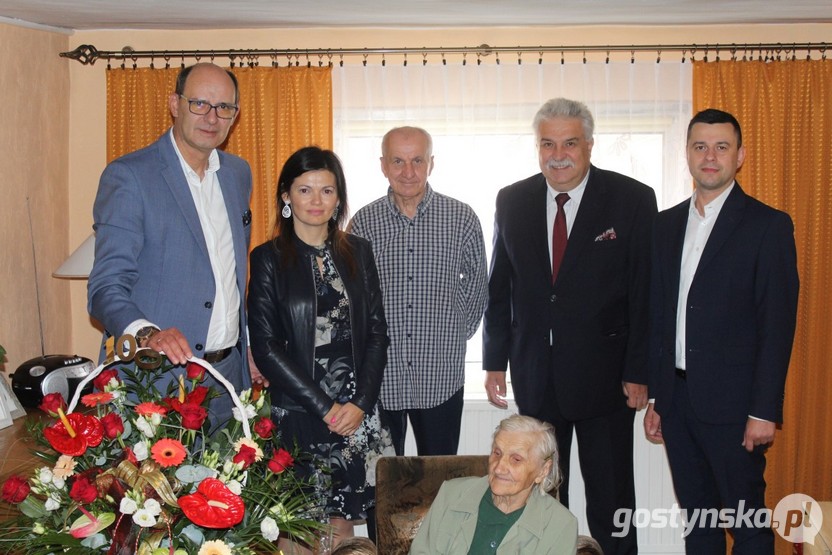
pixel 605 453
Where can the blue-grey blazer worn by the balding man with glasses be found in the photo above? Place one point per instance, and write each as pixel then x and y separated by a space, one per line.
pixel 151 259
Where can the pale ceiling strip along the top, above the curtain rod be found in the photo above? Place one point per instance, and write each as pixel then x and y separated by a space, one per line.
pixel 239 14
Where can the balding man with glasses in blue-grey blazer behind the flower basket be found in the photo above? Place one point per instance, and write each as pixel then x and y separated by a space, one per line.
pixel 172 225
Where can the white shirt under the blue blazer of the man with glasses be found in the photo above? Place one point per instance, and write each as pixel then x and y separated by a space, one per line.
pixel 224 328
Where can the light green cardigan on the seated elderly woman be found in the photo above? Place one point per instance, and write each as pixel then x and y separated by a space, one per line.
pixel 545 528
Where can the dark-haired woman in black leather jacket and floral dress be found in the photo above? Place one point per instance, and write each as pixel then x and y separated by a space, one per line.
pixel 319 336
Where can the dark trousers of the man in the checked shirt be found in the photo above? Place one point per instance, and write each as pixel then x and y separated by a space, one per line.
pixel 436 429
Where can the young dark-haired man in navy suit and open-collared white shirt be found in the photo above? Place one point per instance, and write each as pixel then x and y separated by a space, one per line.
pixel 723 308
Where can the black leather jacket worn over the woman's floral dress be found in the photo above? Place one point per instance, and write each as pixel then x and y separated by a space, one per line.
pixel 281 320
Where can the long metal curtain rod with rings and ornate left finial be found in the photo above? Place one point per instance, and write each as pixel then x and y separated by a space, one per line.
pixel 88 54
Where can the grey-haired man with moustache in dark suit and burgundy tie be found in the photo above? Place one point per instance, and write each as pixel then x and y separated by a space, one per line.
pixel 568 309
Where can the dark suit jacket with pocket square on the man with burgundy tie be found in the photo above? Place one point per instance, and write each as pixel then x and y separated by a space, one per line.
pixel 596 310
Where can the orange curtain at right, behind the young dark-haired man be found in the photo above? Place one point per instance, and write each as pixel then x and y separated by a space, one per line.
pixel 785 109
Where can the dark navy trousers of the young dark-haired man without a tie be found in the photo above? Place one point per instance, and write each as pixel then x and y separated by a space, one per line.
pixel 712 470
